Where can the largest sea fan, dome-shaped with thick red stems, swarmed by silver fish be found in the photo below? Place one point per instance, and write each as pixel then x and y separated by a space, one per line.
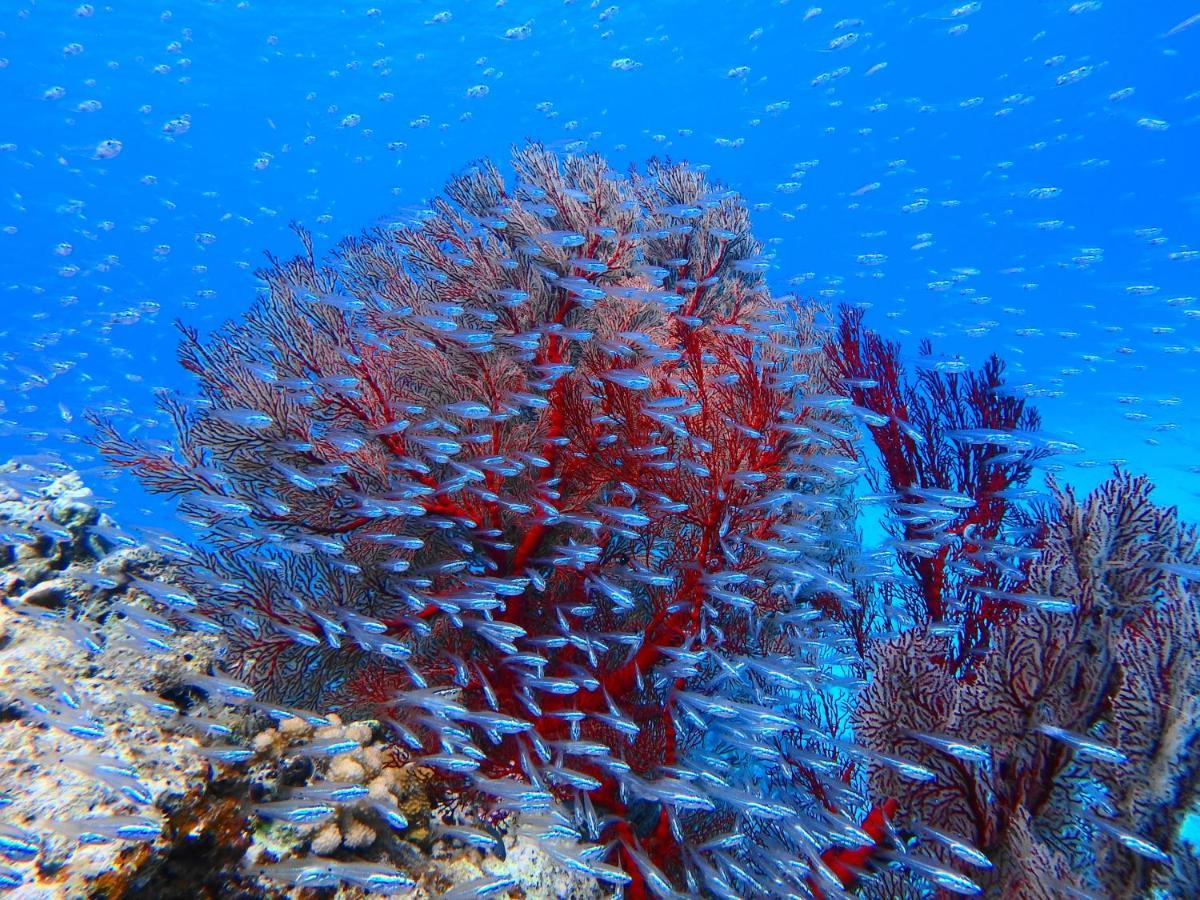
pixel 531 483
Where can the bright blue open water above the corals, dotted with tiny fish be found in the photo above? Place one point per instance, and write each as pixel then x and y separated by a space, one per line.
pixel 1015 178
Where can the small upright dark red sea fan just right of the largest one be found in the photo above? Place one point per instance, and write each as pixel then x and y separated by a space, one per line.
pixel 953 455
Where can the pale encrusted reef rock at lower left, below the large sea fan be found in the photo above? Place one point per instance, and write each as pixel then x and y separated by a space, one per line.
pixel 95 731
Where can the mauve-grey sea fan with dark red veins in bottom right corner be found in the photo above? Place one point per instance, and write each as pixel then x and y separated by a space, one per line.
pixel 1069 757
